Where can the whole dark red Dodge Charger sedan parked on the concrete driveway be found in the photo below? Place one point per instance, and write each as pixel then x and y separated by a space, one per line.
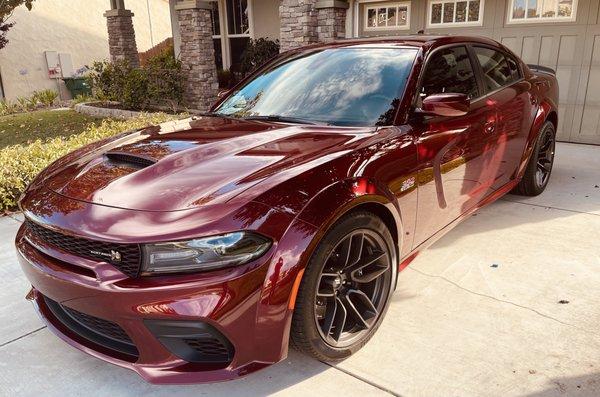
pixel 196 250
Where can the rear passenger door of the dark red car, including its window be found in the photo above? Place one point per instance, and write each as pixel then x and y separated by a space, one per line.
pixel 510 95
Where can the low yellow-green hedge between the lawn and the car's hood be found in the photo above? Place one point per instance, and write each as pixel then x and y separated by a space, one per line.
pixel 19 164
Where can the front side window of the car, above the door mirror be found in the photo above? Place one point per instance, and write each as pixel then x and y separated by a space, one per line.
pixel 449 70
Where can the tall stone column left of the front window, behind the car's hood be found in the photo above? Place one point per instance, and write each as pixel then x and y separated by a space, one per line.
pixel 197 53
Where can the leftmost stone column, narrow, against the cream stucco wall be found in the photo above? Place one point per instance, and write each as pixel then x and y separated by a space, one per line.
pixel 121 36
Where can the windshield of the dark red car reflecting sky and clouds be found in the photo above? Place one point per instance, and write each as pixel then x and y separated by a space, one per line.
pixel 340 86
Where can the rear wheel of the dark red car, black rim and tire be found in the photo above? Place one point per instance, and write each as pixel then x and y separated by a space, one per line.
pixel 539 169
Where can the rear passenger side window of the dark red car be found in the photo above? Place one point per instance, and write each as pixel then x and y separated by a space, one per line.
pixel 497 71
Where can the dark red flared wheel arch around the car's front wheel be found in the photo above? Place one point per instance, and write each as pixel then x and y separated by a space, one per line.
pixel 295 248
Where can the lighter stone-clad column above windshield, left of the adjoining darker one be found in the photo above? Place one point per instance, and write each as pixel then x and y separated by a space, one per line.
pixel 298 23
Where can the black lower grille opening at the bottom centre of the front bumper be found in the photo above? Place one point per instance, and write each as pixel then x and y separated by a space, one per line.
pixel 96 330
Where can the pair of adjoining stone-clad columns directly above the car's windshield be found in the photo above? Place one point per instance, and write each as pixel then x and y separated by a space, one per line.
pixel 305 22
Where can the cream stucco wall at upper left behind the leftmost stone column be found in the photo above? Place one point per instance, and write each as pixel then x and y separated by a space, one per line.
pixel 77 27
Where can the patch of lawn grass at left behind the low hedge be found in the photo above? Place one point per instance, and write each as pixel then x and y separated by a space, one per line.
pixel 23 128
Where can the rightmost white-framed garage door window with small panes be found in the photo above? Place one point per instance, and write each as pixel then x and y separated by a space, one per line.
pixel 531 11
